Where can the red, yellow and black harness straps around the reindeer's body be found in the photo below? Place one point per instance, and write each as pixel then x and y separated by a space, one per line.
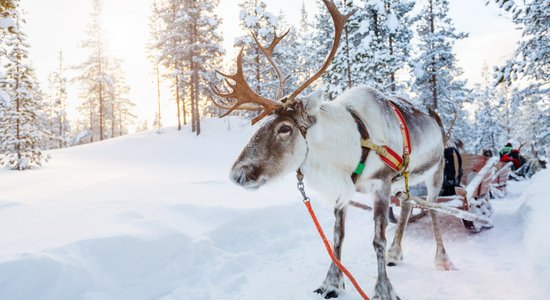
pixel 386 154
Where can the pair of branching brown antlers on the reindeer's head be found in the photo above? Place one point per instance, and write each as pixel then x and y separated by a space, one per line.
pixel 247 99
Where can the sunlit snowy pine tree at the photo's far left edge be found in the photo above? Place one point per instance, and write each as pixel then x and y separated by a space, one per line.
pixel 22 120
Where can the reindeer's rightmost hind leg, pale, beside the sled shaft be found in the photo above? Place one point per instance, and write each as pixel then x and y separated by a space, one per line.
pixel 442 260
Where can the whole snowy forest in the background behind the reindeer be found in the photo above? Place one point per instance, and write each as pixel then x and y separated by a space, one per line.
pixel 402 48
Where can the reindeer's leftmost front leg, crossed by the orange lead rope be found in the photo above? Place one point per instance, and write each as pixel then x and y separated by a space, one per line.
pixel 334 280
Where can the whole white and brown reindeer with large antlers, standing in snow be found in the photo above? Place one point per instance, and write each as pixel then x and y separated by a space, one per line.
pixel 324 141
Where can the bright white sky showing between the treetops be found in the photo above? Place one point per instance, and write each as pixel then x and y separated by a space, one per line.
pixel 56 25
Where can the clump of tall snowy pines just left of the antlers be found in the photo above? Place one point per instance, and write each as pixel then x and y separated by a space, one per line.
pixel 189 43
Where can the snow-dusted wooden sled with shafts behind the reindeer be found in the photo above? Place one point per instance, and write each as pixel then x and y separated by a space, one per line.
pixel 484 178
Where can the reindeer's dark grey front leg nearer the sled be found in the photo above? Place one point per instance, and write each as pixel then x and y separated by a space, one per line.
pixel 384 289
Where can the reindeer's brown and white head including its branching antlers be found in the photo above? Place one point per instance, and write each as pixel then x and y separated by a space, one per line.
pixel 279 146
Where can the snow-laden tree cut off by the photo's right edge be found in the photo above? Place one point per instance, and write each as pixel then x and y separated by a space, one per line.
pixel 528 70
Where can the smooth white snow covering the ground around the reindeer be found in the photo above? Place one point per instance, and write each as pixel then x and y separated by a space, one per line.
pixel 153 216
